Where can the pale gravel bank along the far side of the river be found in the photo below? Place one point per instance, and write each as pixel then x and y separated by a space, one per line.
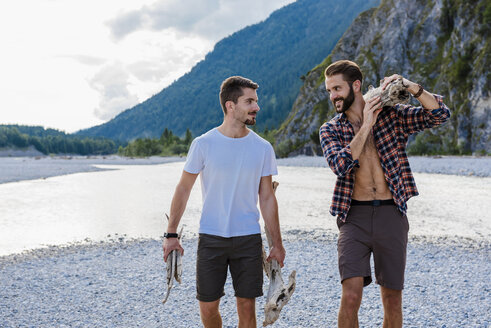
pixel 15 169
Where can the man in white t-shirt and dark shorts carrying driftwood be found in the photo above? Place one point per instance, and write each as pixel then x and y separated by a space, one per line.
pixel 236 167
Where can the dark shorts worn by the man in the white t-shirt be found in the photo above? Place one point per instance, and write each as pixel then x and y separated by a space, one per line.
pixel 243 255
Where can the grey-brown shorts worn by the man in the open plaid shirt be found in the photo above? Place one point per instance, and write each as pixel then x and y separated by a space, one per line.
pixel 381 230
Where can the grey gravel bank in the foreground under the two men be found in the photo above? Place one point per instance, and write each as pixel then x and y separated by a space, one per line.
pixel 121 283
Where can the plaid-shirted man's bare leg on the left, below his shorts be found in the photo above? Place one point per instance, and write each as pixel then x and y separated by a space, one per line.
pixel 350 302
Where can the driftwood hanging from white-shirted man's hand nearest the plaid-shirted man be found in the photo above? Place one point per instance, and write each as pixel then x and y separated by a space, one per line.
pixel 278 293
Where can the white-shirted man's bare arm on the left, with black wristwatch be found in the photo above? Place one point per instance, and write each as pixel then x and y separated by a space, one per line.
pixel 178 205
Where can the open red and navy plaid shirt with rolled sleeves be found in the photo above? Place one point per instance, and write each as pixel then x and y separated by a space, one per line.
pixel 391 133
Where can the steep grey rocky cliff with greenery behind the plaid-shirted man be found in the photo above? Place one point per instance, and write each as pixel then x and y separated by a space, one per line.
pixel 442 44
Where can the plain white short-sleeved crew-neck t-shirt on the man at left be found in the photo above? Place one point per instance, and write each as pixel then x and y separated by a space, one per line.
pixel 231 169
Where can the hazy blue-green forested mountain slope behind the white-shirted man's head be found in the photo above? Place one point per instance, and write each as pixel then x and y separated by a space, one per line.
pixel 274 53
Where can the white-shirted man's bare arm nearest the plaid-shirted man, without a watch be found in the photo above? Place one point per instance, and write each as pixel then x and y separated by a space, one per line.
pixel 269 210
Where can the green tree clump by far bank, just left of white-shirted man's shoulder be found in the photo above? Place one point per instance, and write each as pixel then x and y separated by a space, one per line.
pixel 167 145
